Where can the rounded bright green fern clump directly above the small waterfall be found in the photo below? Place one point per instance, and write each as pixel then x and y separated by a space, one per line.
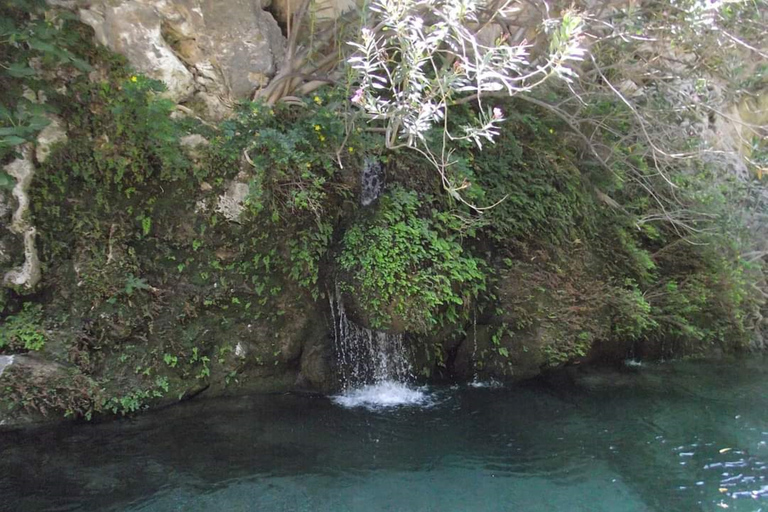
pixel 410 269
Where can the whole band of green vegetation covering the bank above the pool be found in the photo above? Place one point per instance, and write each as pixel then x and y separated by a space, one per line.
pixel 169 270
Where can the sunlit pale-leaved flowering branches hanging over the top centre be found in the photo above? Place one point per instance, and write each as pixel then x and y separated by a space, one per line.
pixel 417 58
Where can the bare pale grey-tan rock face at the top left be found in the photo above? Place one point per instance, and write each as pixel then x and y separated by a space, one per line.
pixel 208 50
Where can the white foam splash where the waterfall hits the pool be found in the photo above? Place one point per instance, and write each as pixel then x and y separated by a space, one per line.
pixel 384 395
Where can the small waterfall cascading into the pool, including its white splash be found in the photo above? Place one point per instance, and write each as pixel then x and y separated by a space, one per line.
pixel 372 365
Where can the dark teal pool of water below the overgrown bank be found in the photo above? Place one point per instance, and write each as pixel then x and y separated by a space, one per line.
pixel 668 437
